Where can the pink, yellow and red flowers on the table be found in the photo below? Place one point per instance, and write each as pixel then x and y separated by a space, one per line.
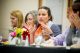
pixel 20 33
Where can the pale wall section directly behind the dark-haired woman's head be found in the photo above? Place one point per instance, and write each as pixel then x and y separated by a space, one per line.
pixel 56 7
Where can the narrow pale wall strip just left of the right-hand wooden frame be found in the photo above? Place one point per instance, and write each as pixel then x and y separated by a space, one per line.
pixel 65 21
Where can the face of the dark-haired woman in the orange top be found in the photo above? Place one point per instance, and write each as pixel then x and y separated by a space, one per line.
pixel 43 16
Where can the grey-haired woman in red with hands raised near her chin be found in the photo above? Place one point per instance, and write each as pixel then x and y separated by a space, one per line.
pixel 30 24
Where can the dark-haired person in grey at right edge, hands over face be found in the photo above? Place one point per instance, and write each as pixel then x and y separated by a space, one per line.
pixel 74 18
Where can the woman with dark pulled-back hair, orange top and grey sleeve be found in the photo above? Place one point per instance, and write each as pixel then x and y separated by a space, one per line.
pixel 45 28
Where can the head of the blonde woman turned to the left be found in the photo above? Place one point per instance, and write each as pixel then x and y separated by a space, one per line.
pixel 16 17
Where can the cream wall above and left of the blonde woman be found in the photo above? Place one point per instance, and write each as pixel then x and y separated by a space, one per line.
pixel 6 6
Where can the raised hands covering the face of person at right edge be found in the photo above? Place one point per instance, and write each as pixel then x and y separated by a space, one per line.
pixel 73 18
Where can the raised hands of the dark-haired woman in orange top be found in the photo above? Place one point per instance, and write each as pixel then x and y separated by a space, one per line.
pixel 46 31
